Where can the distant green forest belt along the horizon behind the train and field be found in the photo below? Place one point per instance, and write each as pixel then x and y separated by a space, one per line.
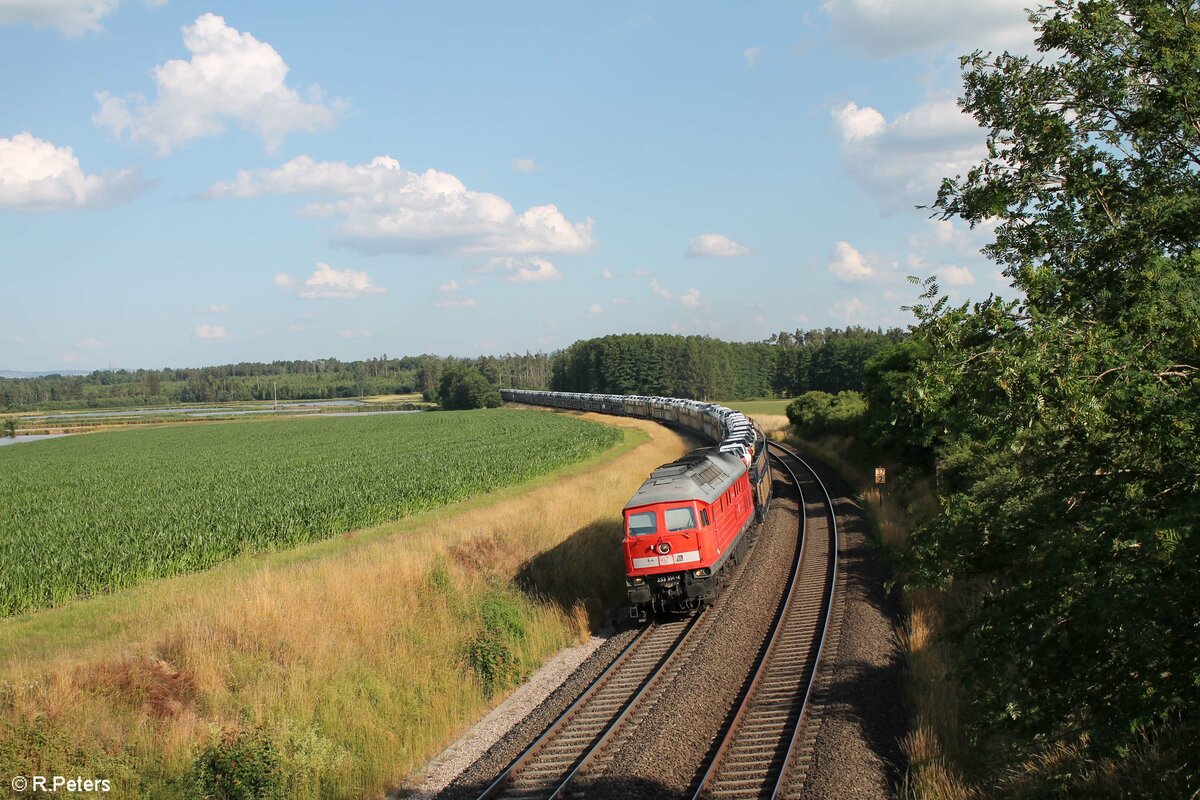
pixel 685 366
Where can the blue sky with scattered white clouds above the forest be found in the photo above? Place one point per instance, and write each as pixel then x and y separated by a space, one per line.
pixel 187 184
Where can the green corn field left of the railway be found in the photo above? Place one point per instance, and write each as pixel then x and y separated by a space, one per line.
pixel 91 514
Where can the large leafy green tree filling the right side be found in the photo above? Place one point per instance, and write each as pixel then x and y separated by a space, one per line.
pixel 1072 477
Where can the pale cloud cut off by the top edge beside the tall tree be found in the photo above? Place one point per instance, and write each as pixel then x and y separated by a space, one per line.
pixel 890 28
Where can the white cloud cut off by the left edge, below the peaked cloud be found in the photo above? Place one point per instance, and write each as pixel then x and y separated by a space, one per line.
pixel 37 176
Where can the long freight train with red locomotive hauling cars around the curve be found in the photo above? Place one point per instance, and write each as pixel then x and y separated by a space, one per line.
pixel 689 522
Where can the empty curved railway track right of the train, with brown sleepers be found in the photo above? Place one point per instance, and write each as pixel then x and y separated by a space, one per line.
pixel 764 751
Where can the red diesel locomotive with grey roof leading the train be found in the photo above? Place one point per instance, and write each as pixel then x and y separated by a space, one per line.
pixel 689 525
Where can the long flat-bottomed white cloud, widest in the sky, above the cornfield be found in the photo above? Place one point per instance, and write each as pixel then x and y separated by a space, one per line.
pixel 387 209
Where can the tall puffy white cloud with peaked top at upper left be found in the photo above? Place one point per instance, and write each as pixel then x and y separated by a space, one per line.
pixel 231 76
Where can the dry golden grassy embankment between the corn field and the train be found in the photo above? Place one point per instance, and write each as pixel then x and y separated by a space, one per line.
pixel 332 670
